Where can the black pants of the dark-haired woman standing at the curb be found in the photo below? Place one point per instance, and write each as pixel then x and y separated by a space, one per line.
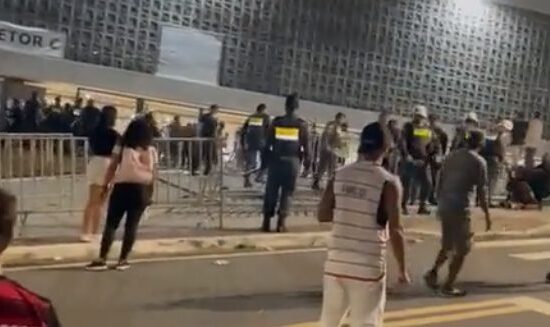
pixel 126 199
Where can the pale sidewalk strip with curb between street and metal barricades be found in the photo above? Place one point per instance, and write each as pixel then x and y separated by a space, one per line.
pixel 163 236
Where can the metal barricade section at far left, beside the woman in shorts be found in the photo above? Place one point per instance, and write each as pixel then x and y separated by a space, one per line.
pixel 45 171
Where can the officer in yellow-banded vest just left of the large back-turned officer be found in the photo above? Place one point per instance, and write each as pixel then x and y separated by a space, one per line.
pixel 253 136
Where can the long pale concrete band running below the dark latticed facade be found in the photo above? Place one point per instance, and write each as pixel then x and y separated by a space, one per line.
pixel 42 69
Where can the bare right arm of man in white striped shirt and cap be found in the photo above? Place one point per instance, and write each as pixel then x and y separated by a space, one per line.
pixel 392 199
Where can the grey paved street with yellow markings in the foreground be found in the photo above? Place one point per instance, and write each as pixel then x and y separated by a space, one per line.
pixel 284 289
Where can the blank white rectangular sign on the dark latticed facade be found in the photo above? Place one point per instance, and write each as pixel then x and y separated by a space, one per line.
pixel 189 54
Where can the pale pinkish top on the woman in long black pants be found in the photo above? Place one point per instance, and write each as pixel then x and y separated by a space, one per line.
pixel 136 165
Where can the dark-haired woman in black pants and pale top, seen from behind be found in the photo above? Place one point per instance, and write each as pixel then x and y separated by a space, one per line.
pixel 132 172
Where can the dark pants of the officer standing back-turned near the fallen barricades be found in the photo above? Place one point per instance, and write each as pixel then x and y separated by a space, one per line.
pixel 281 178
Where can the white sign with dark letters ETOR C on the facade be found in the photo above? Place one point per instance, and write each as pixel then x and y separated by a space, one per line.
pixel 32 40
